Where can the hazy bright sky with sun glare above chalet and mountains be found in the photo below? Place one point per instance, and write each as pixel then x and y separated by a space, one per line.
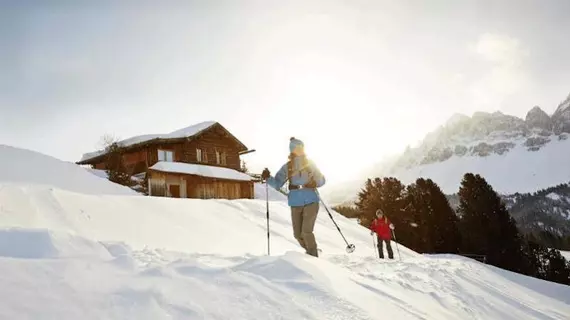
pixel 356 80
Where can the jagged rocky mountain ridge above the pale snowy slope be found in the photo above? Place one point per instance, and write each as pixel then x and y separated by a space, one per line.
pixel 486 133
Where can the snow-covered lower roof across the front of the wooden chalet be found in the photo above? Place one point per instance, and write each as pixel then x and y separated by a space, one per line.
pixel 201 170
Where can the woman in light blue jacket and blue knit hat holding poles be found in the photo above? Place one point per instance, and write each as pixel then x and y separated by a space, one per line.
pixel 304 178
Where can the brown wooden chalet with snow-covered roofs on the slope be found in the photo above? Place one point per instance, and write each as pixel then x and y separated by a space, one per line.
pixel 201 161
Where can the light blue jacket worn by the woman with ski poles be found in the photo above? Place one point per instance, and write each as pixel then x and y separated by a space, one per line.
pixel 300 197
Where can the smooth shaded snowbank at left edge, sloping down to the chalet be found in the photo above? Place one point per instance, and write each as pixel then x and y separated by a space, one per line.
pixel 30 167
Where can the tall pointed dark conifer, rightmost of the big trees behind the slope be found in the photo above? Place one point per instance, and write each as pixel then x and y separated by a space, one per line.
pixel 486 225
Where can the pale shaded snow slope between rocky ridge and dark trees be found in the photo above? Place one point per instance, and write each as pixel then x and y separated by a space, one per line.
pixel 518 170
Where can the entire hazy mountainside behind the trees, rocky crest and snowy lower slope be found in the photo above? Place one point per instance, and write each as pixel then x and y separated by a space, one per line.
pixel 513 154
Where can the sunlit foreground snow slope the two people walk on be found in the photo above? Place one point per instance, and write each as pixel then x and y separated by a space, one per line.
pixel 65 254
